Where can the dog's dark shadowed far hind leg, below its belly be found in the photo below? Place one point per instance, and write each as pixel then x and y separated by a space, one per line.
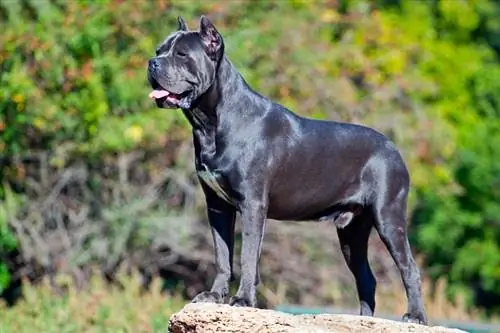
pixel 354 245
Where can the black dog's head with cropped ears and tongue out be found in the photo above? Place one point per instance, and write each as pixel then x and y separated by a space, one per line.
pixel 185 65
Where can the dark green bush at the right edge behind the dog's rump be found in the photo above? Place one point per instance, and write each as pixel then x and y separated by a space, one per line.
pixel 460 233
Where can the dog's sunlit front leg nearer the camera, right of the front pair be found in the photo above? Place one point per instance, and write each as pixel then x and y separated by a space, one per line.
pixel 253 217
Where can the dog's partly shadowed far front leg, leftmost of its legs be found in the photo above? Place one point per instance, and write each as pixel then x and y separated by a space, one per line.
pixel 221 217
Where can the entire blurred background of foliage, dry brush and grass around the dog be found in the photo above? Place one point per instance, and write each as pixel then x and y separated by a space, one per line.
pixel 102 221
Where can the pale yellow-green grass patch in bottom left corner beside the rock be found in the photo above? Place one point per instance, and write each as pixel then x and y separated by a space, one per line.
pixel 99 309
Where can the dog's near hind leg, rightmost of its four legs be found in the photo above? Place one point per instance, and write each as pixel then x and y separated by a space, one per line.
pixel 390 223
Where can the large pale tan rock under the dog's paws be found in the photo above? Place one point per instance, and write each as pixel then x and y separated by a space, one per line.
pixel 207 318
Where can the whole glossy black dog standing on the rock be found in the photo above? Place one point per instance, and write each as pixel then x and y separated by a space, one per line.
pixel 256 158
